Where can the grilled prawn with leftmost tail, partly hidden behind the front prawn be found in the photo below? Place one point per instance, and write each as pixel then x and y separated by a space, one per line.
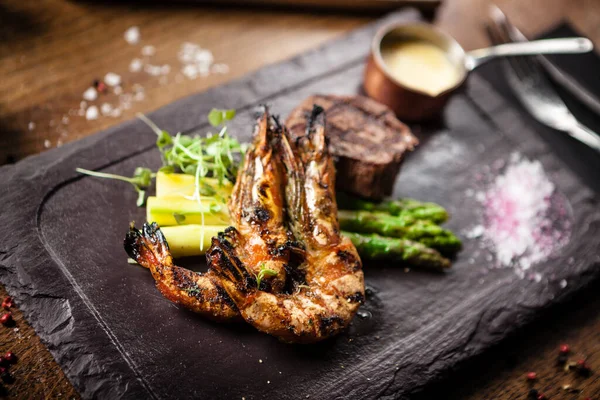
pixel 260 236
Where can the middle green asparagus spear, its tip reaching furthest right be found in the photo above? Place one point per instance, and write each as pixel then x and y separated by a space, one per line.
pixel 402 226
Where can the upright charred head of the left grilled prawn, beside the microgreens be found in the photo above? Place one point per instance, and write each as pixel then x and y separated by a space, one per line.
pixel 256 206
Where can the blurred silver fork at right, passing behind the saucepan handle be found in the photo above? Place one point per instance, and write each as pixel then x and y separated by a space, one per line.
pixel 527 80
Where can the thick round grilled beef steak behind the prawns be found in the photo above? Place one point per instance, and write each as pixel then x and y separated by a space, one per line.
pixel 368 141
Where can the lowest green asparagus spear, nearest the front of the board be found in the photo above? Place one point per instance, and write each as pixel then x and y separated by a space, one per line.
pixel 375 247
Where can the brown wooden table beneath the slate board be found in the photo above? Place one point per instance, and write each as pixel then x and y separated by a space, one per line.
pixel 52 50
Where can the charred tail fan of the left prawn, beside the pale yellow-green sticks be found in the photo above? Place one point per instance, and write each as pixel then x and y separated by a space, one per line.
pixel 148 246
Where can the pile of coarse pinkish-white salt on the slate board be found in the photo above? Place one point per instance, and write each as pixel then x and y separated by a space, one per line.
pixel 521 222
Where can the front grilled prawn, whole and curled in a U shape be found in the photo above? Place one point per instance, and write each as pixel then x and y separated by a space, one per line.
pixel 334 282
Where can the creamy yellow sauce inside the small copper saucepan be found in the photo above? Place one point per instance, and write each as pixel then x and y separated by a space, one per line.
pixel 420 65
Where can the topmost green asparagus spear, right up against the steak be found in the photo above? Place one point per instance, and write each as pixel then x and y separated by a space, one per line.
pixel 402 207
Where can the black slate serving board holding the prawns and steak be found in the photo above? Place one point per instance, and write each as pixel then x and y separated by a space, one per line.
pixel 116 336
